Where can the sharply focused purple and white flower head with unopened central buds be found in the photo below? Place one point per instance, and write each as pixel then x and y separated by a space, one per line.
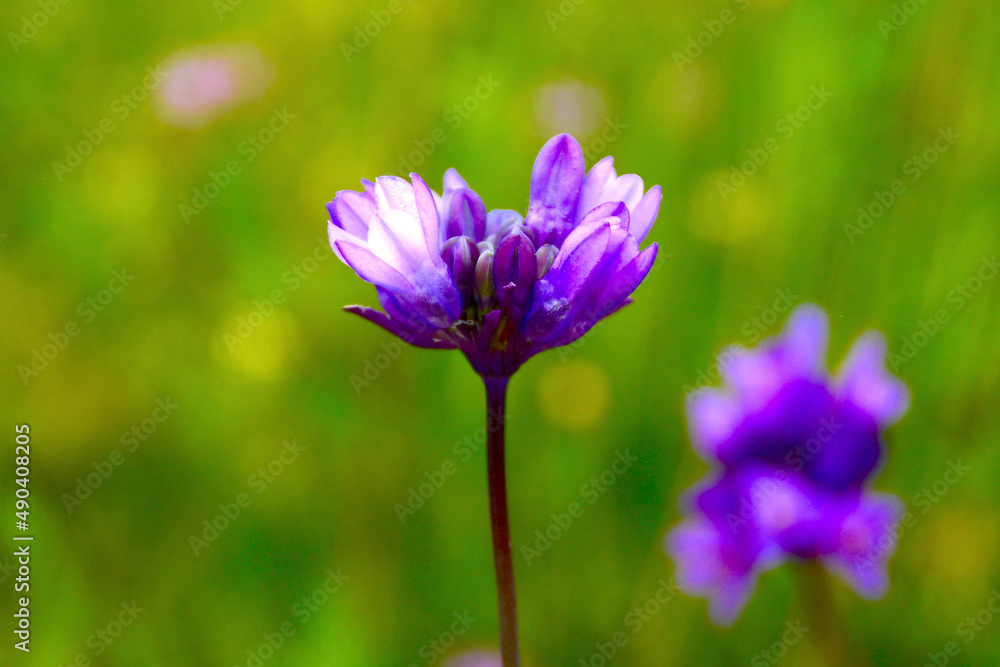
pixel 499 287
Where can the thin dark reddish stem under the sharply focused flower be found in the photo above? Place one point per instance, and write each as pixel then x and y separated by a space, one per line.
pixel 496 401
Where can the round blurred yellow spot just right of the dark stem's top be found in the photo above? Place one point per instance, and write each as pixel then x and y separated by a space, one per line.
pixel 573 395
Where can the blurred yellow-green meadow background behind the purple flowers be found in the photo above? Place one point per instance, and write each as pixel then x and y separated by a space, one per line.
pixel 591 67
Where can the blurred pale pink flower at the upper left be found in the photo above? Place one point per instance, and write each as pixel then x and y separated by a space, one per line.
pixel 204 84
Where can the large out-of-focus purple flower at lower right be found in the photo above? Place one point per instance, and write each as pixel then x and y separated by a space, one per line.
pixel 794 451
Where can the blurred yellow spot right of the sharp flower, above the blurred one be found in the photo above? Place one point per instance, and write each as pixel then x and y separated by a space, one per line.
pixel 729 207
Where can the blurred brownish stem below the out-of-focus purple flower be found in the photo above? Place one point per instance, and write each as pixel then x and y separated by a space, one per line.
pixel 829 636
